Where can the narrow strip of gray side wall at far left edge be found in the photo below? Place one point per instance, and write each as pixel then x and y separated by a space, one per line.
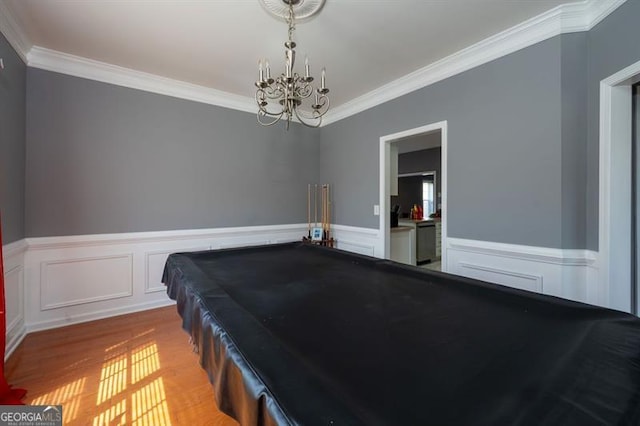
pixel 12 143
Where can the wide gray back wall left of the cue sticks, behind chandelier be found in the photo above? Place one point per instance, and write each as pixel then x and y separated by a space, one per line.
pixel 108 159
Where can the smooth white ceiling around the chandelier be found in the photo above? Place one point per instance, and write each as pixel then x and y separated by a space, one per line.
pixel 364 44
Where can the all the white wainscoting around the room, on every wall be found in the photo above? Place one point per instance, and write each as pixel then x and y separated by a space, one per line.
pixel 56 281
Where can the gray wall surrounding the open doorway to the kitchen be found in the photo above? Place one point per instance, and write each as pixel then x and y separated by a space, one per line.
pixel 504 149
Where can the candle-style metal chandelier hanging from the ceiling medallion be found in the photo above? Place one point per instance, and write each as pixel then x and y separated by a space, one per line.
pixel 280 98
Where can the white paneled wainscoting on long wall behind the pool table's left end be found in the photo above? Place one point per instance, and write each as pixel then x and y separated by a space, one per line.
pixel 81 278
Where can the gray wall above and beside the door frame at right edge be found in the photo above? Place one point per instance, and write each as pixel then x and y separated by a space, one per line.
pixel 613 45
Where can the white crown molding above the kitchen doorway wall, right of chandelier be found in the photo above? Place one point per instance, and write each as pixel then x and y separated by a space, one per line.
pixel 567 18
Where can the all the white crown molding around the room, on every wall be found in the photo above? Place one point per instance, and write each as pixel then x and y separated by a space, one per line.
pixel 567 18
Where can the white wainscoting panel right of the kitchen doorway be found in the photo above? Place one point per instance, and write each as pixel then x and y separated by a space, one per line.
pixel 571 274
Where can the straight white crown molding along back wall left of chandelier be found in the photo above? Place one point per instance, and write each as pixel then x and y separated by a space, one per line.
pixel 77 66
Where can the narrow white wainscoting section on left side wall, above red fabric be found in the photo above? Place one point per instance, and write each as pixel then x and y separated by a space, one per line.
pixel 14 294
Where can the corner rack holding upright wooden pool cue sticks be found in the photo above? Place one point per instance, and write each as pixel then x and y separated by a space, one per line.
pixel 319 232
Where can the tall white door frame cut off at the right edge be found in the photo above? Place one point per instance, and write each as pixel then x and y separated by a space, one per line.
pixel 614 213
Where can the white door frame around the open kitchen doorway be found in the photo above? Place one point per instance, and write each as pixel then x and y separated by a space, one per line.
pixel 385 187
